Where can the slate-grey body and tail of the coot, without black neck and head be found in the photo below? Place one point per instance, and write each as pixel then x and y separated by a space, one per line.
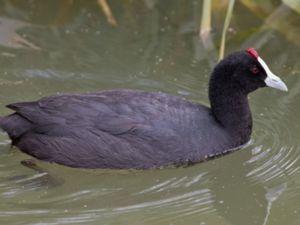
pixel 114 129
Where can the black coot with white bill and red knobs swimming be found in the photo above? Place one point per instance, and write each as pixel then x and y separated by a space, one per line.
pixel 124 129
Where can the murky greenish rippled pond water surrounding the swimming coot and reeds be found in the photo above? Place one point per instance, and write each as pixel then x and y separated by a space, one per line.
pixel 68 46
